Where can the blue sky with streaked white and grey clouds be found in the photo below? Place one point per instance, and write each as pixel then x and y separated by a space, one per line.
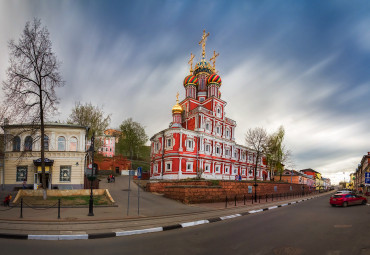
pixel 300 64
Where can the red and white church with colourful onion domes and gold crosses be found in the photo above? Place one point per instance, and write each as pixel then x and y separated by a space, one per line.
pixel 200 141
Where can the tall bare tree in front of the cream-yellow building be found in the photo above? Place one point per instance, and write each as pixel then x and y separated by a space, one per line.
pixel 32 78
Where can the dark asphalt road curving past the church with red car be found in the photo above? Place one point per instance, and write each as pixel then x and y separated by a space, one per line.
pixel 311 227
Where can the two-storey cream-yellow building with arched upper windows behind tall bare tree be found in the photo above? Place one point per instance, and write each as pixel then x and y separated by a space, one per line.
pixel 65 155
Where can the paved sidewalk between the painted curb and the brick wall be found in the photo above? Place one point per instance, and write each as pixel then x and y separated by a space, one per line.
pixel 156 214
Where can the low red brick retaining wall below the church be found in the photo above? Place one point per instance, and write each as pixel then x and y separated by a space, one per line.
pixel 204 191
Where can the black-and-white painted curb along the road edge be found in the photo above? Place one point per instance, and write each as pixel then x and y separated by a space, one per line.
pixel 142 231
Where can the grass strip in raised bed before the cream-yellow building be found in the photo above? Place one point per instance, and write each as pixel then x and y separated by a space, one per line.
pixel 65 201
